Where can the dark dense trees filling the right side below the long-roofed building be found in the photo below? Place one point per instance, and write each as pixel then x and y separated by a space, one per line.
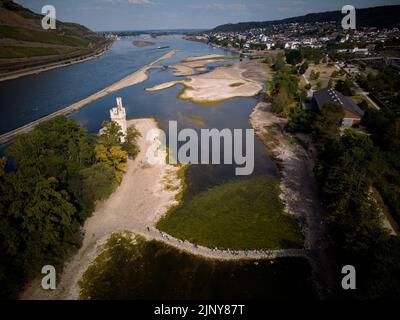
pixel 351 166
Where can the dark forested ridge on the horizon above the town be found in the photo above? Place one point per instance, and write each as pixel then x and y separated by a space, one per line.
pixel 381 17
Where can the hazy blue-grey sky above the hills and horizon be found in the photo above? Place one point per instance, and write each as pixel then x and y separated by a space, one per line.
pixel 101 15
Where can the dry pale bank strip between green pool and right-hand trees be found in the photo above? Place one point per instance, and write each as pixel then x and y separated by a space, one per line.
pixel 299 191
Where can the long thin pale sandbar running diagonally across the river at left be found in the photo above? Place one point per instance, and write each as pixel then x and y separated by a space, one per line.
pixel 137 77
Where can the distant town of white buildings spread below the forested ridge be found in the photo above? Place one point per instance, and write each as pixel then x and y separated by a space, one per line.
pixel 296 35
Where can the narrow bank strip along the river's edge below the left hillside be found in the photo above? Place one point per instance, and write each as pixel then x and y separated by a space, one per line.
pixel 54 65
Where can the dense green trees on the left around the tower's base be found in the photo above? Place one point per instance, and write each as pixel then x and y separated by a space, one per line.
pixel 56 174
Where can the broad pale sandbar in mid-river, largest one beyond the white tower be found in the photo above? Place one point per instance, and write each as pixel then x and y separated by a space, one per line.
pixel 238 80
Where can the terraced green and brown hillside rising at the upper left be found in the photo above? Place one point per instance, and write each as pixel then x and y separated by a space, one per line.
pixel 25 44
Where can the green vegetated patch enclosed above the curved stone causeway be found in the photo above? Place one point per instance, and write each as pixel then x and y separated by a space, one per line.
pixel 246 214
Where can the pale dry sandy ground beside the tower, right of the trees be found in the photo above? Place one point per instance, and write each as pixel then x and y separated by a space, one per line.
pixel 136 205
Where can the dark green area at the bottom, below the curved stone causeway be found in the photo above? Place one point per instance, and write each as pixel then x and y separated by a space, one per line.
pixel 132 268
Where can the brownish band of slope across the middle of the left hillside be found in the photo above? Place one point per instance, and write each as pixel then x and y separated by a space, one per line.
pixel 52 37
